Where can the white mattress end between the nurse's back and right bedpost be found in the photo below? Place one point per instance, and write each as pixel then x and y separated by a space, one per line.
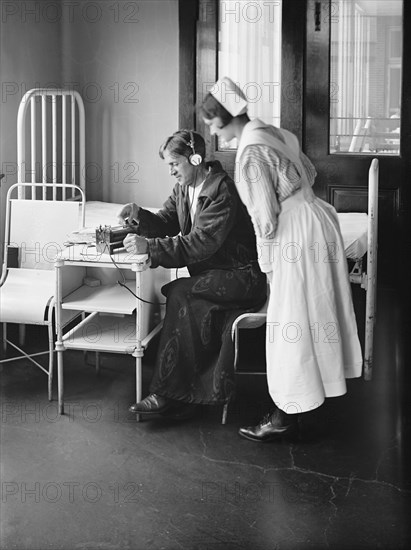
pixel 354 230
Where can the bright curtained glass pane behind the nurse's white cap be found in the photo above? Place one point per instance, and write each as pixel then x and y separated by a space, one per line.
pixel 249 52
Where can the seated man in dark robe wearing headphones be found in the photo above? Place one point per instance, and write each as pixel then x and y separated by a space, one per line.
pixel 202 225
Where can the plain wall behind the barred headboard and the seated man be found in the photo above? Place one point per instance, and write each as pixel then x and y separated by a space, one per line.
pixel 123 58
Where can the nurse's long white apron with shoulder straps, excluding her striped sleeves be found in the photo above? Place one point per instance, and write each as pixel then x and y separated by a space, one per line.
pixel 312 344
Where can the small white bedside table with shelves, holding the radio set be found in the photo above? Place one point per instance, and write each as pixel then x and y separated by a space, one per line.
pixel 87 285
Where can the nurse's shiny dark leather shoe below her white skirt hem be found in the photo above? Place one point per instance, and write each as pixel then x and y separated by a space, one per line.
pixel 272 426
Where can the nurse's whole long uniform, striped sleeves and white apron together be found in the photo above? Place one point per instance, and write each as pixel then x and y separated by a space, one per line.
pixel 312 343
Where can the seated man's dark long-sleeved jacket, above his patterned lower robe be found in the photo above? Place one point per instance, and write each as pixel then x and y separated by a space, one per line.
pixel 222 236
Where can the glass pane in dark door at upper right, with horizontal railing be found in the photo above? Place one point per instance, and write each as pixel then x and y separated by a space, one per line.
pixel 366 63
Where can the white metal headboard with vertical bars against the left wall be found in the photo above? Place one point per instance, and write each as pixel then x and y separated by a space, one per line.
pixel 51 143
